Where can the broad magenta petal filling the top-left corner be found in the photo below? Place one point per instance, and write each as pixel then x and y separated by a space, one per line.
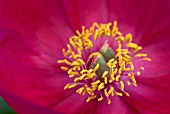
pixel 43 21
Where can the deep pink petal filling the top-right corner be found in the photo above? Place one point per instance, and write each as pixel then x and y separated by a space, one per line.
pixel 144 19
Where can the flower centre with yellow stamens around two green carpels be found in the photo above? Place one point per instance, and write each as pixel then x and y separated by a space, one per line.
pixel 100 60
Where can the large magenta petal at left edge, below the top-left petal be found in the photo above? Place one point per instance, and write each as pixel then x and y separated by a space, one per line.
pixel 40 81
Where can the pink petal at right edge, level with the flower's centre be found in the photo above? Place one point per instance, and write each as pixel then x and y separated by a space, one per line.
pixel 159 65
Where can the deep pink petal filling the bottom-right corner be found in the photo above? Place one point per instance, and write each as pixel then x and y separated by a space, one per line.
pixel 151 95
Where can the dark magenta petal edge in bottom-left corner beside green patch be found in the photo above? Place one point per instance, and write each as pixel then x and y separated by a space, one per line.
pixel 21 106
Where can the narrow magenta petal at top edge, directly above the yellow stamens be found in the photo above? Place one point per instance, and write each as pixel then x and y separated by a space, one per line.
pixel 85 12
